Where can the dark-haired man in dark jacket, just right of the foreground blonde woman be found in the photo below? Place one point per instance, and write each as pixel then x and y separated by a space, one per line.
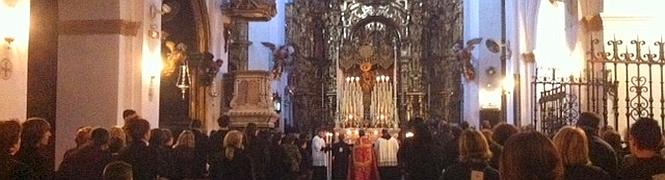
pixel 601 153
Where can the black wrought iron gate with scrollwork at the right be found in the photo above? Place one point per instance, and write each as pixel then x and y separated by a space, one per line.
pixel 621 85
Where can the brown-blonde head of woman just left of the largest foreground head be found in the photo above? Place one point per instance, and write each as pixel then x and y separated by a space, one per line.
pixel 473 147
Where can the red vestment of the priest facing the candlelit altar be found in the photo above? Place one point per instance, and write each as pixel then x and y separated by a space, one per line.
pixel 363 161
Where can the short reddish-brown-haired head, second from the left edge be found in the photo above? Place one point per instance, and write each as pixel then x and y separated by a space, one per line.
pixel 35 133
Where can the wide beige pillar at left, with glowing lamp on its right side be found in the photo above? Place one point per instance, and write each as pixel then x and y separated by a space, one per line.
pixel 108 61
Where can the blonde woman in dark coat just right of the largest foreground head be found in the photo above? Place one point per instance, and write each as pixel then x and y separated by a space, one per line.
pixel 572 144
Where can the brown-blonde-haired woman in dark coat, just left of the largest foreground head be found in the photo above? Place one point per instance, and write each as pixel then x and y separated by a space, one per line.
pixel 474 157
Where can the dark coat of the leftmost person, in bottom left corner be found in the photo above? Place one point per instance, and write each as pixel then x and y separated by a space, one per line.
pixel 11 169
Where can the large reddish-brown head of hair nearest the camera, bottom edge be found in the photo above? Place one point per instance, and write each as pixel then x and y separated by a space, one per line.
pixel 530 155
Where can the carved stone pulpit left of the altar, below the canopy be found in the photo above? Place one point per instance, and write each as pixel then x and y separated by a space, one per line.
pixel 252 100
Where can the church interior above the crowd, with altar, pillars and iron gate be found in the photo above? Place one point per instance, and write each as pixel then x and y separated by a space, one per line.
pixel 299 65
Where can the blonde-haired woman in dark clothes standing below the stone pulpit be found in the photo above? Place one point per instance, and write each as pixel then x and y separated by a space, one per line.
pixel 232 162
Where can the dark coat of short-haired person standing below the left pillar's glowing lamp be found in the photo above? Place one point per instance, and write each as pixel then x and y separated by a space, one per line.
pixel 146 164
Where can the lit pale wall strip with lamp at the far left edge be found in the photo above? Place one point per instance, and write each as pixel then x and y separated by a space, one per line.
pixel 16 24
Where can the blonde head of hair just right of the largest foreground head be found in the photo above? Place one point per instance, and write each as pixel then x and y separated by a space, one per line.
pixel 572 145
